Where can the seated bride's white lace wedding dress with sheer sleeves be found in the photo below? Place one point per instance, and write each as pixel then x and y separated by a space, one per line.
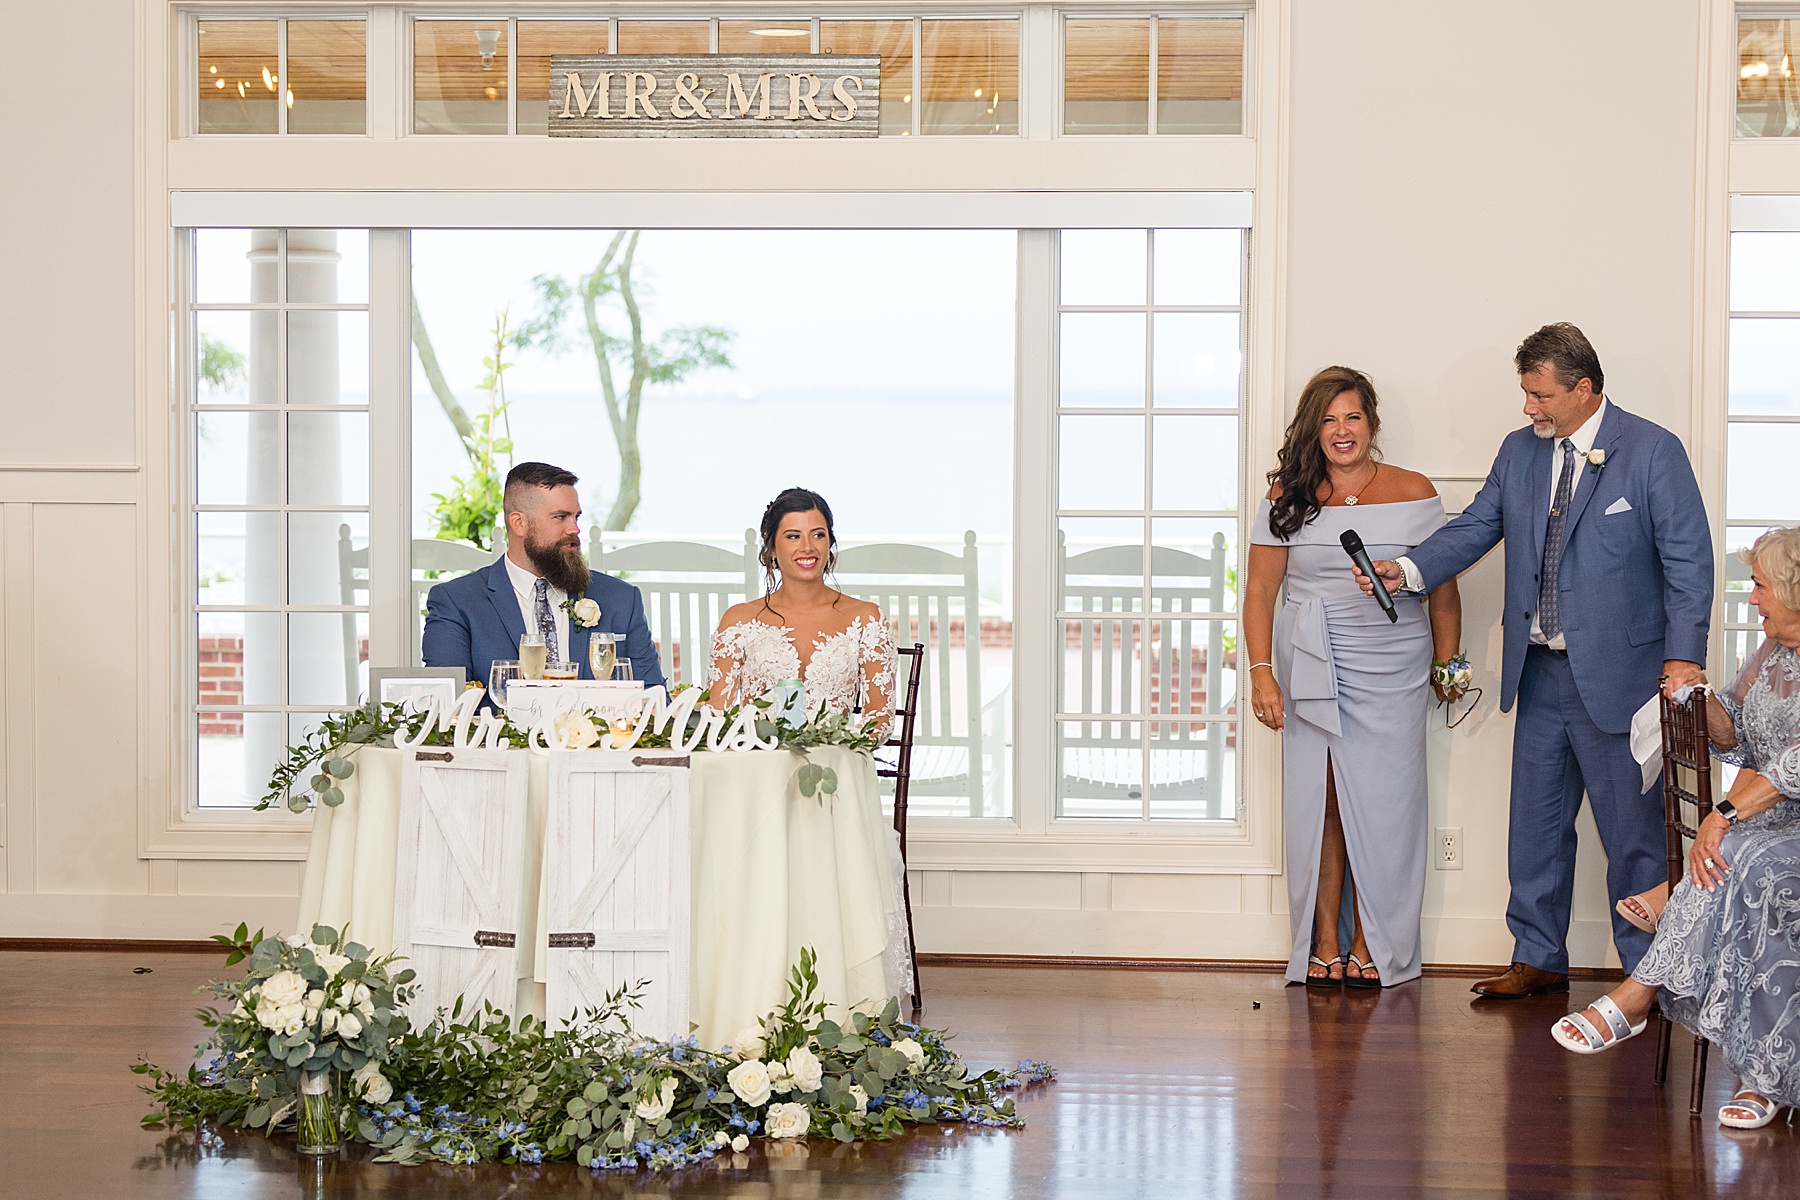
pixel 850 672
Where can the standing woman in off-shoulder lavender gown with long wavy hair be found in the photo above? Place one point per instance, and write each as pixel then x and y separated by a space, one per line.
pixel 1347 690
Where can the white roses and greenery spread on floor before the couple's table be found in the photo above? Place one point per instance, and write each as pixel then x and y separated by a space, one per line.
pixel 480 1088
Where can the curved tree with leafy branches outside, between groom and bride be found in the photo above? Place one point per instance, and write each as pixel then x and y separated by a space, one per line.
pixel 607 294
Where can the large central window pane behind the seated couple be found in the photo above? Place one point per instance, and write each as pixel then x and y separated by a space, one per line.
pixel 836 361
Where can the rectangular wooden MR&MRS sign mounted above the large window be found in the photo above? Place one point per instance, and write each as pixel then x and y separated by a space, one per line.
pixel 715 96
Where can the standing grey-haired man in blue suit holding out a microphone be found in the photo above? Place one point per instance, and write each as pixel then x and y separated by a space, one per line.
pixel 1608 589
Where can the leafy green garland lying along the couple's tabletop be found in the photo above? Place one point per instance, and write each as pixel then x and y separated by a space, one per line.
pixel 328 751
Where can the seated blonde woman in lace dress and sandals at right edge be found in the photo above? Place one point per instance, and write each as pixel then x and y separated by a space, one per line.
pixel 1727 951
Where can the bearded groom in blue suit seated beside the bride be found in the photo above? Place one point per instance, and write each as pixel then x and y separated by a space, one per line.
pixel 474 620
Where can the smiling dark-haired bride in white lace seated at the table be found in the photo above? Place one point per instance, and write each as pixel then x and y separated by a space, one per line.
pixel 804 629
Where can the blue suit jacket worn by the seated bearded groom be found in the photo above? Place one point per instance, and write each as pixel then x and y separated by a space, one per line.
pixel 474 620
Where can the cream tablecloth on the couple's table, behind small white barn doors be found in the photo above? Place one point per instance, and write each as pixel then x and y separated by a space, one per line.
pixel 771 872
